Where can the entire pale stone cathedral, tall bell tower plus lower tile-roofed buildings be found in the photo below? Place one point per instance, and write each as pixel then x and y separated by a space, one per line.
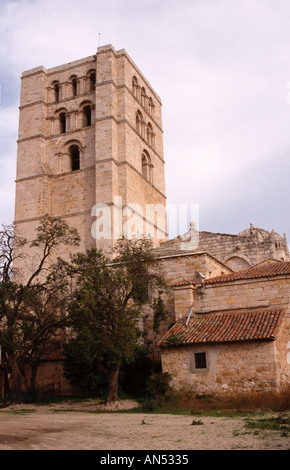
pixel 90 150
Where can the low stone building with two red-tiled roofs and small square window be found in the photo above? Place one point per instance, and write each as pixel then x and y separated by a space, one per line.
pixel 235 334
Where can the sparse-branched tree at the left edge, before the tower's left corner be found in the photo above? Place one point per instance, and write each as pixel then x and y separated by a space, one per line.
pixel 32 305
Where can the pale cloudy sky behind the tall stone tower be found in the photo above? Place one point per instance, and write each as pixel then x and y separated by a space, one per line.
pixel 222 70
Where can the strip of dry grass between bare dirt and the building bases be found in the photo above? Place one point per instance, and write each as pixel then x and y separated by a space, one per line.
pixel 186 402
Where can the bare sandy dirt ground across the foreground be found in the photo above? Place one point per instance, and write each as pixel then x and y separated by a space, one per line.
pixel 73 425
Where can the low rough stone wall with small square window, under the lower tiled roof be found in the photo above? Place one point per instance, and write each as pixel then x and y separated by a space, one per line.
pixel 232 368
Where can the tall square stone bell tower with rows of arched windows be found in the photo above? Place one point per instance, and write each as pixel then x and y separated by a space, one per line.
pixel 90 150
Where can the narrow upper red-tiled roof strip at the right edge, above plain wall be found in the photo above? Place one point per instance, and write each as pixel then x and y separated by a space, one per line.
pixel 264 270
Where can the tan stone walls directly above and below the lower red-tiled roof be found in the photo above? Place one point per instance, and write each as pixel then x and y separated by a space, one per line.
pixel 234 367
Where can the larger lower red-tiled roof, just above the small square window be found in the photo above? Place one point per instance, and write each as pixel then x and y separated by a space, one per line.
pixel 225 328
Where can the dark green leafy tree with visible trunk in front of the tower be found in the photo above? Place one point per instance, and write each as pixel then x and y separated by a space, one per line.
pixel 107 304
